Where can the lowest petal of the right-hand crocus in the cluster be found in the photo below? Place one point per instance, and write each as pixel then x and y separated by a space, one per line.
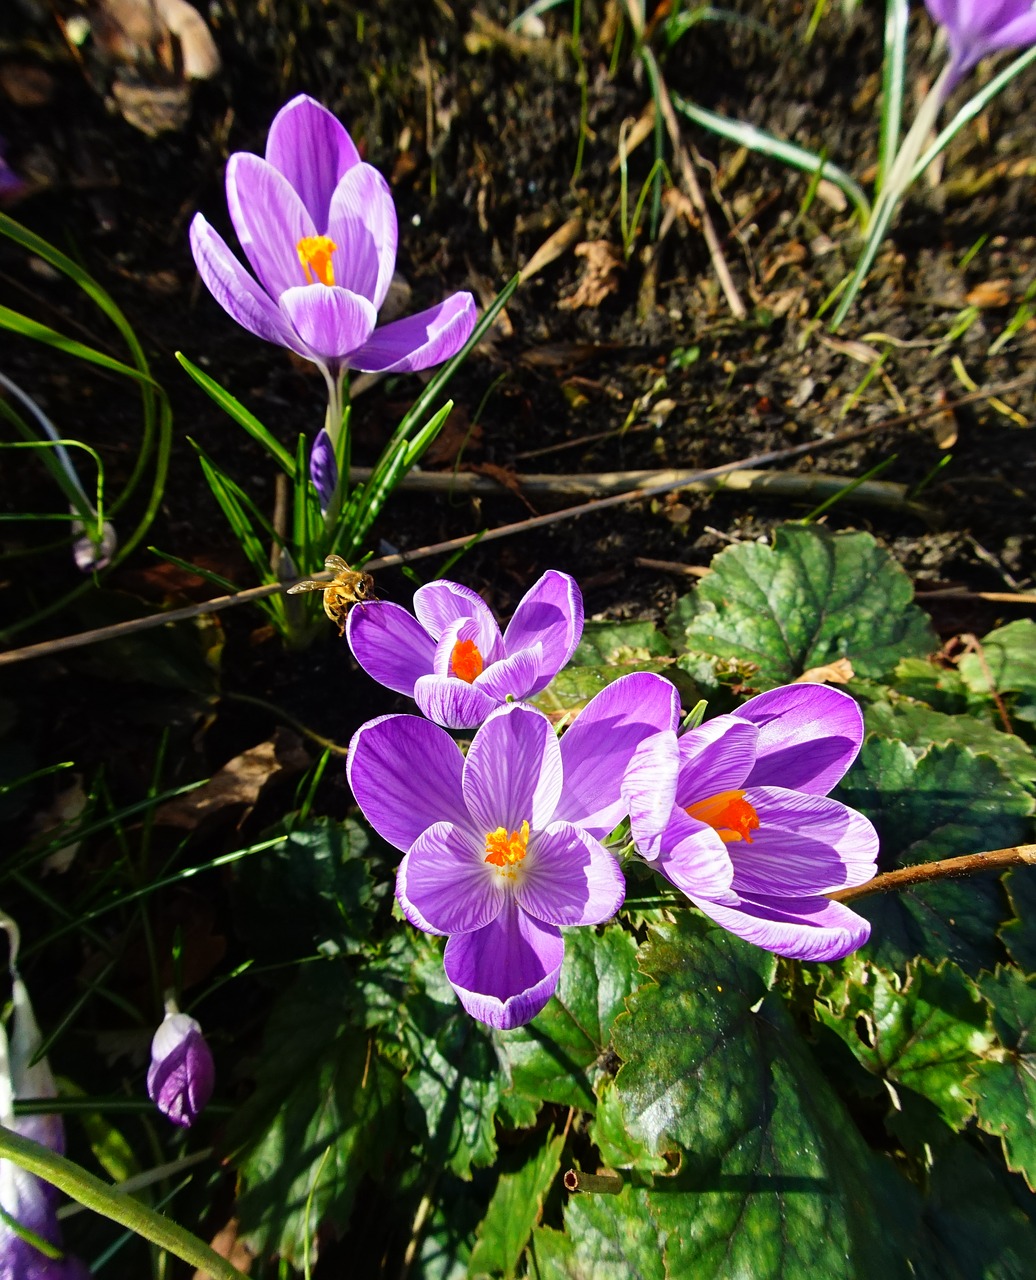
pixel 806 929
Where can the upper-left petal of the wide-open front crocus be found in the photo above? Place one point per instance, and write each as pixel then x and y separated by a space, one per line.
pixel 407 775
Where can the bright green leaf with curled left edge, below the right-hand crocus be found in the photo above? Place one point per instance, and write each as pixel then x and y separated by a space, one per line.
pixel 927 1030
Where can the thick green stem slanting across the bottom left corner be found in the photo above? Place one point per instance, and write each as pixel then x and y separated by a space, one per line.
pixel 106 1200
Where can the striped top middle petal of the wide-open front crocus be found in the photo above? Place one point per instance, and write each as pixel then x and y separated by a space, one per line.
pixel 513 771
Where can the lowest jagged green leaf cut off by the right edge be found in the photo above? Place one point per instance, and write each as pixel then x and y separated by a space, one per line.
pixel 1007 1085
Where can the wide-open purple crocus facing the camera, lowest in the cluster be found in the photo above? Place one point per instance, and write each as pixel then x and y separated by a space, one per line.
pixel 504 845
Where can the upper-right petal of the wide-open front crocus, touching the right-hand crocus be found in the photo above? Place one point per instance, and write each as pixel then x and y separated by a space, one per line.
pixel 599 748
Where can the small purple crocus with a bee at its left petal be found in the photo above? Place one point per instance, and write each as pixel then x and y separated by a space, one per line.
pixel 453 660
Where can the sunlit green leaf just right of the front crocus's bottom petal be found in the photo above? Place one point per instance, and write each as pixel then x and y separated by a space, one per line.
pixel 560 1054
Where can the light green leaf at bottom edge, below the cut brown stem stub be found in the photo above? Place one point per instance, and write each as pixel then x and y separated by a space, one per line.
pixel 606 1238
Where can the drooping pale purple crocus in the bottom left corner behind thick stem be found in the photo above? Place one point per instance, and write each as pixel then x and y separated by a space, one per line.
pixel 26 1199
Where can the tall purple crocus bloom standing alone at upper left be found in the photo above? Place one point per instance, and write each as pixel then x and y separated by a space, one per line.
pixel 318 227
